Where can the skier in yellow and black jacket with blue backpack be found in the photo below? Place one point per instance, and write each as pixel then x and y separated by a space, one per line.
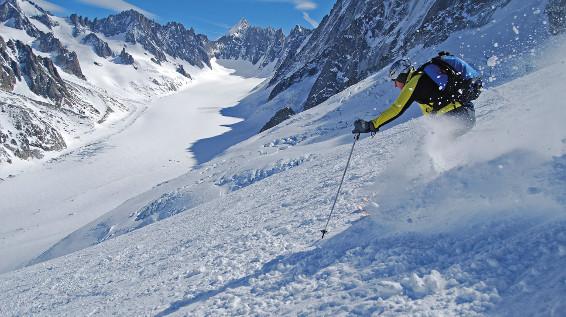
pixel 444 86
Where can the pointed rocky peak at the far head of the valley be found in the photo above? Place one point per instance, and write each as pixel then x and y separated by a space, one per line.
pixel 253 44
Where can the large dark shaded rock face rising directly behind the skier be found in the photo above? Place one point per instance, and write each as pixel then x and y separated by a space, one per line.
pixel 361 37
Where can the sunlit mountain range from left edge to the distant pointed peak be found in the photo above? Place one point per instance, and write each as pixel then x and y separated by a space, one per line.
pixel 118 58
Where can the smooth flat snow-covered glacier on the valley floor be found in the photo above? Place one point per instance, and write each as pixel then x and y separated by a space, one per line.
pixel 85 183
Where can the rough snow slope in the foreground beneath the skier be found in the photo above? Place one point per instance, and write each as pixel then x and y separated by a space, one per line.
pixel 424 226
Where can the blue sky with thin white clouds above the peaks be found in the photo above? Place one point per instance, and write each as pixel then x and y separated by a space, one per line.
pixel 211 17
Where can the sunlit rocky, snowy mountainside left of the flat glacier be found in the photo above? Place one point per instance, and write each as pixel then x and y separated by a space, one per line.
pixel 64 80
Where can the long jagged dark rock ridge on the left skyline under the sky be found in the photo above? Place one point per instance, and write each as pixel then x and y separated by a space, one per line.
pixel 173 38
